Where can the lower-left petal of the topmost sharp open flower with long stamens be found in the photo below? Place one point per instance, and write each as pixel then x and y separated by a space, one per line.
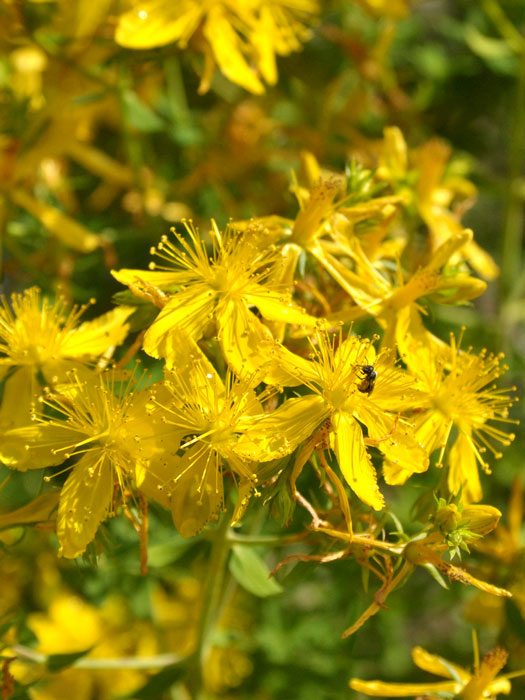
pixel 190 310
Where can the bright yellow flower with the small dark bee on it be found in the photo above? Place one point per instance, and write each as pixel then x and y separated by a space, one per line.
pixel 341 394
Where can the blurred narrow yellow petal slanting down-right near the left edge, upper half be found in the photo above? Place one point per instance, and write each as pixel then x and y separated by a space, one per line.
pixel 63 227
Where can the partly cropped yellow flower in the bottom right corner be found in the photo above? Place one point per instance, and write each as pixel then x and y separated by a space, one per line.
pixel 482 683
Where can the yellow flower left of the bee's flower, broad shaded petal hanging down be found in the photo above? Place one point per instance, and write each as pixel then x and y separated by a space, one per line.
pixel 206 418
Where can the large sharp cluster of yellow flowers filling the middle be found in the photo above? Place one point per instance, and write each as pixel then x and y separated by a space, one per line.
pixel 264 373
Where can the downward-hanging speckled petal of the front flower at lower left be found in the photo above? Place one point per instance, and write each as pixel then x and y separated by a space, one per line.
pixel 84 504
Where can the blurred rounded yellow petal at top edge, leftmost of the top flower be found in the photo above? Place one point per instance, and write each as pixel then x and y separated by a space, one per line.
pixel 157 23
